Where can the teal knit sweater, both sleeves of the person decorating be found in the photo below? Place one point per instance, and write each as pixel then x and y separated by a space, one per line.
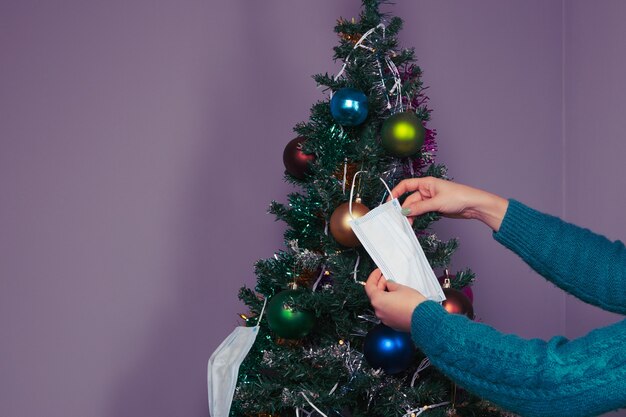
pixel 560 377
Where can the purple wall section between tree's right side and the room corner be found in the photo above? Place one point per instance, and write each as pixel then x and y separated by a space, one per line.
pixel 494 71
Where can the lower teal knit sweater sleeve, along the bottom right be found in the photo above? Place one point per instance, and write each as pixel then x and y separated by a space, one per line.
pixel 582 377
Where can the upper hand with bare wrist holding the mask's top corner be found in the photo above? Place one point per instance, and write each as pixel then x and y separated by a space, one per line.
pixel 451 200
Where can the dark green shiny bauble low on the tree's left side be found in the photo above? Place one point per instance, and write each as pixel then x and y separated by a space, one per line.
pixel 284 317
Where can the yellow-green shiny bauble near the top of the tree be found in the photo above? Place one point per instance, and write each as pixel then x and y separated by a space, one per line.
pixel 403 134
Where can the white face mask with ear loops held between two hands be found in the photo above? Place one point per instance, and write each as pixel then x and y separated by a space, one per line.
pixel 389 239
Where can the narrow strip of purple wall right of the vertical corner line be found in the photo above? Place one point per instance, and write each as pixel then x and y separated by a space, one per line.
pixel 595 106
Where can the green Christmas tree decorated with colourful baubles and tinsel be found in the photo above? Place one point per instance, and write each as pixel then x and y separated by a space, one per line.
pixel 314 354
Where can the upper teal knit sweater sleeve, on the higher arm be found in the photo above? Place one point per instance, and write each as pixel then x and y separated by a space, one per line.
pixel 583 263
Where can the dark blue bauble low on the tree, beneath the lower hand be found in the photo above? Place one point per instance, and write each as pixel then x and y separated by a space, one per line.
pixel 389 349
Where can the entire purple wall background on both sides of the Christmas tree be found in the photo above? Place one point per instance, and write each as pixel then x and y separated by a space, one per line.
pixel 141 143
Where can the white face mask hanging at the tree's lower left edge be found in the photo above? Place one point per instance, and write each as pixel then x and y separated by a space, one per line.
pixel 223 367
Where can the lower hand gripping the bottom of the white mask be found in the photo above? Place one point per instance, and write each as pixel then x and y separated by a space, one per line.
pixel 395 306
